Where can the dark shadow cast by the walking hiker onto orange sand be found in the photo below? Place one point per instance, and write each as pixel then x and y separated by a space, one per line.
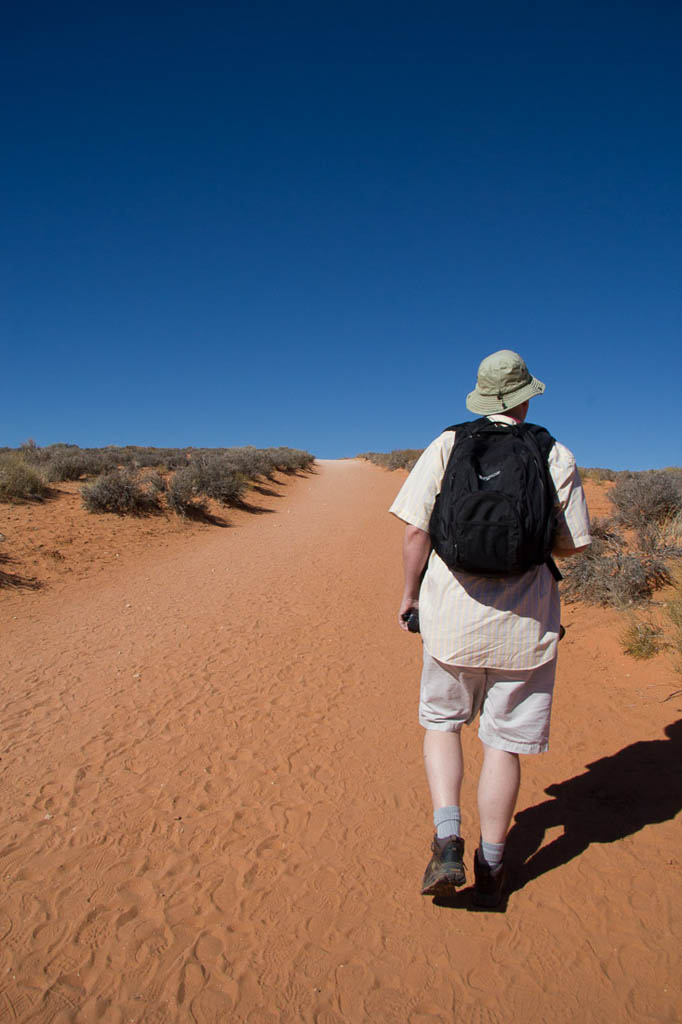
pixel 616 797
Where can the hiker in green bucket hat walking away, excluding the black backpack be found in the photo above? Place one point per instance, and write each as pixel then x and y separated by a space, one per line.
pixel 490 645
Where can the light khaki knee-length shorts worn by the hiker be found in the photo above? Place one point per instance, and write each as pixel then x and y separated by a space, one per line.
pixel 516 706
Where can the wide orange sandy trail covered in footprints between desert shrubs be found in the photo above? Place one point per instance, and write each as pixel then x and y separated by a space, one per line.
pixel 214 805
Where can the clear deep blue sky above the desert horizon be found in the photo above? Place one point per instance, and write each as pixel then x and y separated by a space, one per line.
pixel 307 224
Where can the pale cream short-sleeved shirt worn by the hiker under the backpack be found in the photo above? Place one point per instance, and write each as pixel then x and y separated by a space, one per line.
pixel 506 623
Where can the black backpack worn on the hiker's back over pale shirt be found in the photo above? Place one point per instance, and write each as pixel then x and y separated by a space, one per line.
pixel 496 514
